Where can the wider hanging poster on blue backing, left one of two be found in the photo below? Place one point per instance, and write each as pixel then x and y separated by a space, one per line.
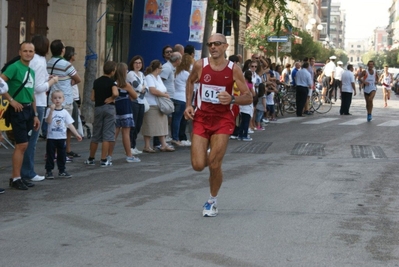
pixel 157 15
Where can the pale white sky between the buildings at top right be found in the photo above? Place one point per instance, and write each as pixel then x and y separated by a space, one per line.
pixel 363 16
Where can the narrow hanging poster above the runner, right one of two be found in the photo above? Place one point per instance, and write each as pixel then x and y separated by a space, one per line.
pixel 197 21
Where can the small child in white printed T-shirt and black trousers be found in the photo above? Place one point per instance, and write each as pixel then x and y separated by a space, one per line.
pixel 58 120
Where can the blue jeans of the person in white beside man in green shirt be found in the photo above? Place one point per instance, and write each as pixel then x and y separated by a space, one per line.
pixel 28 164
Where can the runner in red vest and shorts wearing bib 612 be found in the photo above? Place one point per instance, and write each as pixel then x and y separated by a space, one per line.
pixel 213 120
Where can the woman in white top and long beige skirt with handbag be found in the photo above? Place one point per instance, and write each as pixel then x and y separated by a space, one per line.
pixel 155 123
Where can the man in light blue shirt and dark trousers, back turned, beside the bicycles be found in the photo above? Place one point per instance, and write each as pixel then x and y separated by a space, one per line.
pixel 303 81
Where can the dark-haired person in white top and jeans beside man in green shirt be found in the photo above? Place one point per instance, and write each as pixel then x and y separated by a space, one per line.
pixel 42 84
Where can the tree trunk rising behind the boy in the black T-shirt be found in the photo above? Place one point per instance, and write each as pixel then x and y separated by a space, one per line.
pixel 91 58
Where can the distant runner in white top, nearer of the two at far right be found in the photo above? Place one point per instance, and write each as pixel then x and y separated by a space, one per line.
pixel 369 79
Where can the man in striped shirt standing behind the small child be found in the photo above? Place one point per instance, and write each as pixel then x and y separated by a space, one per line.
pixel 67 77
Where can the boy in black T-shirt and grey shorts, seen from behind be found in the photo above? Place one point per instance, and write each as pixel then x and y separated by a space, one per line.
pixel 104 93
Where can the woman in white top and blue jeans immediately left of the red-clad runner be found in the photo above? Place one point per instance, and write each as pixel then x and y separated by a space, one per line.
pixel 179 97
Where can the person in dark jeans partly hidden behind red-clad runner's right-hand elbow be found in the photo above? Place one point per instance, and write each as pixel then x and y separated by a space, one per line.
pixel 246 111
